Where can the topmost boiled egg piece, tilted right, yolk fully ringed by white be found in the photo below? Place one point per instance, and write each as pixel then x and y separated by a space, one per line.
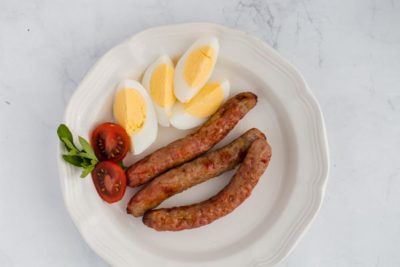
pixel 194 68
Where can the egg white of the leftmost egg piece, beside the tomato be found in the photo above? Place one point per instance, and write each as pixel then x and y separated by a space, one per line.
pixel 143 138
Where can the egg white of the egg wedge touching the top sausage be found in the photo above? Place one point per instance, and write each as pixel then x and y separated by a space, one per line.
pixel 183 120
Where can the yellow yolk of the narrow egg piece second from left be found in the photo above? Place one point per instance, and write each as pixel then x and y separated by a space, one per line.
pixel 162 85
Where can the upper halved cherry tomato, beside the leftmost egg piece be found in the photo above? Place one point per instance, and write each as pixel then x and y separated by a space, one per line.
pixel 110 142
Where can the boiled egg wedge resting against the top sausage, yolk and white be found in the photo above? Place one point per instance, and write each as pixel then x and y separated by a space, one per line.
pixel 201 107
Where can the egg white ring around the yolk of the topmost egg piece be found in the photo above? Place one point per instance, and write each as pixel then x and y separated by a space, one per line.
pixel 183 91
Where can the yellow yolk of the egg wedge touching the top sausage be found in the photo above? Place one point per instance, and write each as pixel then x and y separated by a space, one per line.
pixel 206 102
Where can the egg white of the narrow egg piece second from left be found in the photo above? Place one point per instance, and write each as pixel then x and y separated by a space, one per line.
pixel 163 113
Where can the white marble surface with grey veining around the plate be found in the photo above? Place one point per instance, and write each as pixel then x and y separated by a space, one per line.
pixel 348 51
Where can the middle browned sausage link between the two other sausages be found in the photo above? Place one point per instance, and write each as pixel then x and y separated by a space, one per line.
pixel 192 173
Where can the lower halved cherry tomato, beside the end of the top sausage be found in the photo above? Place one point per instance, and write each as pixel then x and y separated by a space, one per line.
pixel 110 181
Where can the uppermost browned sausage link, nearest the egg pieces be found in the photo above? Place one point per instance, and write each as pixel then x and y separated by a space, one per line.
pixel 185 149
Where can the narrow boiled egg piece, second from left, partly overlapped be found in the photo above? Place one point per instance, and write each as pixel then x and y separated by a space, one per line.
pixel 158 79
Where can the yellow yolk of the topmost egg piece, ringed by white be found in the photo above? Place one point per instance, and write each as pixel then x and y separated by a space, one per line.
pixel 198 65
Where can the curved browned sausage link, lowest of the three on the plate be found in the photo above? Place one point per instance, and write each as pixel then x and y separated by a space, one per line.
pixel 239 188
